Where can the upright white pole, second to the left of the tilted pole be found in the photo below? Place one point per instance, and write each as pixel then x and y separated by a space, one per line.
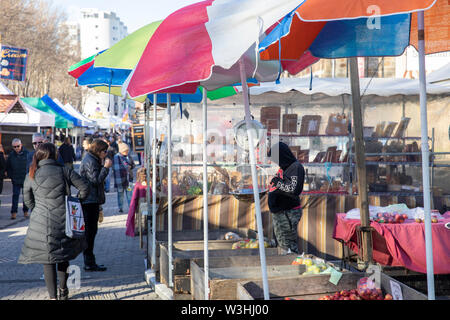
pixel 169 189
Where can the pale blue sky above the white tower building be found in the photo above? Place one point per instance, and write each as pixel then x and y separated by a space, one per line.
pixel 134 13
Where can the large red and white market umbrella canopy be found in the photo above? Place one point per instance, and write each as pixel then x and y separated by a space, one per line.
pixel 205 39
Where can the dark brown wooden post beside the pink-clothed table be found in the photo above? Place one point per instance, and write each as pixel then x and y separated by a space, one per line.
pixel 363 203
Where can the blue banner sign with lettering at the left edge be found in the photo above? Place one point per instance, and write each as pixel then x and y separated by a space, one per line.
pixel 13 63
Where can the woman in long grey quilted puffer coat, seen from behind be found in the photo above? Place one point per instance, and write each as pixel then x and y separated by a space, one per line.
pixel 46 243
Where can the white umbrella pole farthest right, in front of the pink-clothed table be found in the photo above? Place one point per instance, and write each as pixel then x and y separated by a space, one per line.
pixel 425 157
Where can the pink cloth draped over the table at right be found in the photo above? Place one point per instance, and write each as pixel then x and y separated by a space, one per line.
pixel 400 244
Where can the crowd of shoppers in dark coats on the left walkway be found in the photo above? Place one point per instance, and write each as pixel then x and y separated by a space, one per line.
pixel 44 176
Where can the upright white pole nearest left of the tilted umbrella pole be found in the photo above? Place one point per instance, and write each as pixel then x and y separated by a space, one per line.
pixel 205 192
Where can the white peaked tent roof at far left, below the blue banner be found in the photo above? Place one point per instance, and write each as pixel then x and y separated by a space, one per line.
pixel 32 117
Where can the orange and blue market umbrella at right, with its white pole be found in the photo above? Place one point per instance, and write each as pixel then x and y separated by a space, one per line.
pixel 347 29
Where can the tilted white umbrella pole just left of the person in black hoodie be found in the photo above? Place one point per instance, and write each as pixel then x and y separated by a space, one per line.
pixel 250 134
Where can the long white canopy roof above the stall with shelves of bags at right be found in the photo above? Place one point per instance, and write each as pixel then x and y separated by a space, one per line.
pixel 338 86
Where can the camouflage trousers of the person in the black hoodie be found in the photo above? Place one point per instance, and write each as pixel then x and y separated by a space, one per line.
pixel 285 228
